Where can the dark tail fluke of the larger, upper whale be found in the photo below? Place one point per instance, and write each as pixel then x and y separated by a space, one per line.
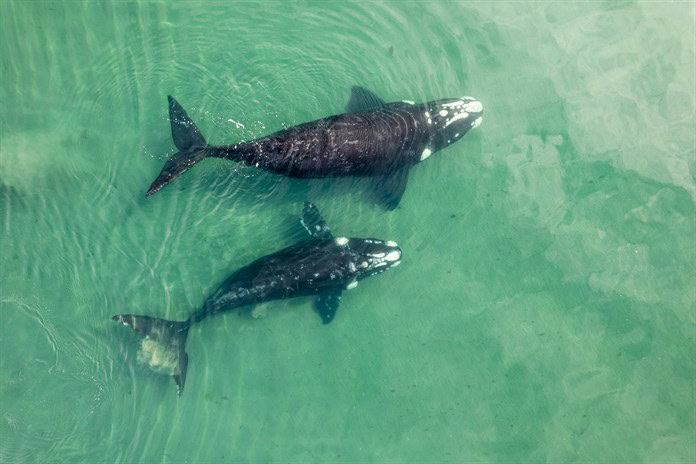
pixel 188 139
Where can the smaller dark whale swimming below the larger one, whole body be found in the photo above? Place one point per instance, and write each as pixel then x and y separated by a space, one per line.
pixel 321 265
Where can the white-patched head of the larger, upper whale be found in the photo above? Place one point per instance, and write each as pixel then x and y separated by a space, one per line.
pixel 449 120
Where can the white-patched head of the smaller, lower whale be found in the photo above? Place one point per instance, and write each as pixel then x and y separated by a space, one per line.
pixel 370 256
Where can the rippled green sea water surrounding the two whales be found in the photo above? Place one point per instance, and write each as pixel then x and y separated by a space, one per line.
pixel 544 309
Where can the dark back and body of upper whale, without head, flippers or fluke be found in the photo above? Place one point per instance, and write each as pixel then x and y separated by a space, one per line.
pixel 370 143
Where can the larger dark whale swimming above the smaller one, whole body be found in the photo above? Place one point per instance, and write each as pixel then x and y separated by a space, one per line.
pixel 374 138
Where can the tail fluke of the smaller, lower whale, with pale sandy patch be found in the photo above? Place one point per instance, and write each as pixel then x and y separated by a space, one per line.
pixel 163 347
